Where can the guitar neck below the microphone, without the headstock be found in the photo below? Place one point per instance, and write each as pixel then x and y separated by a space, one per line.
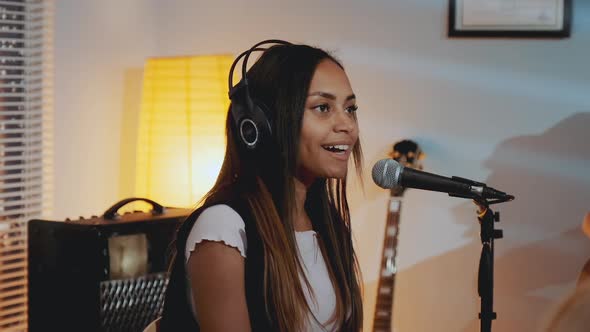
pixel 382 320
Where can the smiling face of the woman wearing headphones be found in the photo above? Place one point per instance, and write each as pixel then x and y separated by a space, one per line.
pixel 329 129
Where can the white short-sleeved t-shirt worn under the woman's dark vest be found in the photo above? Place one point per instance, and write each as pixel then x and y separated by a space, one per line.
pixel 221 223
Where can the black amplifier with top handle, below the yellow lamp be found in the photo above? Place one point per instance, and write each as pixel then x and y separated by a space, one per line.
pixel 105 273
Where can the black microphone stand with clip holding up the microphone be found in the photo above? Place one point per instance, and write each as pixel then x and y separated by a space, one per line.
pixel 485 280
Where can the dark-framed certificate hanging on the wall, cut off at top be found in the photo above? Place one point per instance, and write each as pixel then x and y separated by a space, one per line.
pixel 510 18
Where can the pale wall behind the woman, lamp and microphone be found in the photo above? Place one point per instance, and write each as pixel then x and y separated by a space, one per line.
pixel 512 113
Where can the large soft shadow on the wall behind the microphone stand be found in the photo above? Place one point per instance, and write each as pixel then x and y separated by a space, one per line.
pixel 543 250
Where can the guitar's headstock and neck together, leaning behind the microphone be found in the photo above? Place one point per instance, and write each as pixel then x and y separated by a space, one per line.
pixel 408 154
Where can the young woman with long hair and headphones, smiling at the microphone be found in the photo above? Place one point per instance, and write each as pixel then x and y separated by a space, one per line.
pixel 270 248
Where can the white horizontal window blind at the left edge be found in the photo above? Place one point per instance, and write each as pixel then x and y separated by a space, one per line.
pixel 26 134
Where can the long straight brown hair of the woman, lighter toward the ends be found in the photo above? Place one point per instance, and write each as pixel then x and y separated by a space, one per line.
pixel 280 78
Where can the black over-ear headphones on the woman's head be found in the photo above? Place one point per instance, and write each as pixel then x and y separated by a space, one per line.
pixel 249 115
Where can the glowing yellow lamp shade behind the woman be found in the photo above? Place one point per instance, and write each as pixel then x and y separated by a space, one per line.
pixel 182 128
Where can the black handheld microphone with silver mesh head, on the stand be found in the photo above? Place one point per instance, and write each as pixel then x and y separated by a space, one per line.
pixel 389 174
